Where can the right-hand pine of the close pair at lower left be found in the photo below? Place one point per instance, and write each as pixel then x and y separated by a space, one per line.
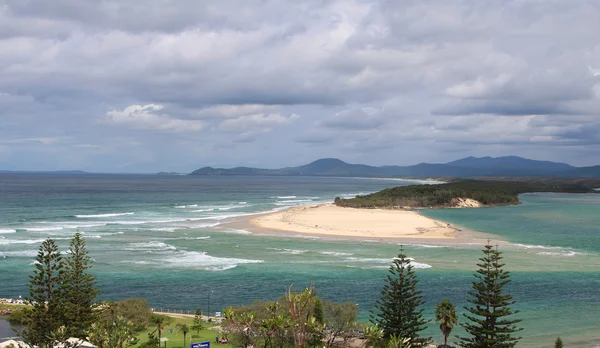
pixel 78 289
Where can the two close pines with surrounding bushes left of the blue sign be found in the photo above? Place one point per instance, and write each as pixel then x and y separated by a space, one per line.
pixel 62 305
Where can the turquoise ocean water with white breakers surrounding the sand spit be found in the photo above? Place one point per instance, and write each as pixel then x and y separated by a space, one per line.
pixel 166 238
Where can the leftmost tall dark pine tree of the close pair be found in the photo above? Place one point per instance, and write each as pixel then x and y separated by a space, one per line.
pixel 44 294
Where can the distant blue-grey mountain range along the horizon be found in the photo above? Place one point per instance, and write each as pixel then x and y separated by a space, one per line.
pixel 512 166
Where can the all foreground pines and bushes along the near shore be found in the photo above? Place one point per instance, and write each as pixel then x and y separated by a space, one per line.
pixel 62 293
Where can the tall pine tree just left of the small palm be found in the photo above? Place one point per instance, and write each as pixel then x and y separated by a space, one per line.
pixel 398 310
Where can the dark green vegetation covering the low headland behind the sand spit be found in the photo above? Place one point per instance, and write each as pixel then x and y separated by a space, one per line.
pixel 486 192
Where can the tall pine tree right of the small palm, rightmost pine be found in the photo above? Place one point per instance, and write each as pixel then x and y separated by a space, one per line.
pixel 488 324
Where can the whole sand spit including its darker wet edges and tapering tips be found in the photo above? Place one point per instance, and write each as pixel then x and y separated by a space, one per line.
pixel 377 225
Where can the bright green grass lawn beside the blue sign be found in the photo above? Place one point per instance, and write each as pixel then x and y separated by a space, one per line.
pixel 176 338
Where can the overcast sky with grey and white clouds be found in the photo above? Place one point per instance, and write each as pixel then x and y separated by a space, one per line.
pixel 165 85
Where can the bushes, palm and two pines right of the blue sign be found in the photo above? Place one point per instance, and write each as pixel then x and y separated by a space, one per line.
pixel 301 319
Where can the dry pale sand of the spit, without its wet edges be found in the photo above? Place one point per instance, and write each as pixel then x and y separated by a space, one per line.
pixel 331 220
